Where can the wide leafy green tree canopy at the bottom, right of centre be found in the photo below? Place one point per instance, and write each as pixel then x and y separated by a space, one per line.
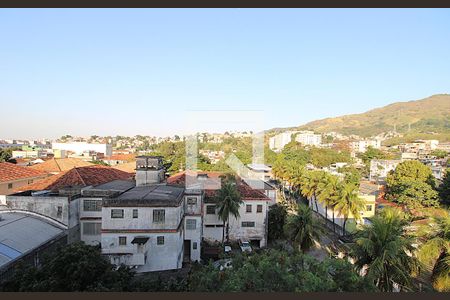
pixel 279 271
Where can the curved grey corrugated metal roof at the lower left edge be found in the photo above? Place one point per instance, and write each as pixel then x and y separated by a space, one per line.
pixel 21 233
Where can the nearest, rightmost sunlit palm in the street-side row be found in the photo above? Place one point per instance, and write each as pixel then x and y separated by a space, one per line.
pixel 349 203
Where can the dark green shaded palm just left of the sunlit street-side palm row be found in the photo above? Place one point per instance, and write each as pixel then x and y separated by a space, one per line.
pixel 302 229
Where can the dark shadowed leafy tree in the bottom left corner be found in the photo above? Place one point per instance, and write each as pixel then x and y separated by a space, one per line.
pixel 75 267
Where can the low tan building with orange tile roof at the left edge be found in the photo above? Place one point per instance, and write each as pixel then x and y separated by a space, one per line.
pixel 13 176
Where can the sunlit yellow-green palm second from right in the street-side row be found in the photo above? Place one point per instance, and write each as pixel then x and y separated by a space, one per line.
pixel 329 192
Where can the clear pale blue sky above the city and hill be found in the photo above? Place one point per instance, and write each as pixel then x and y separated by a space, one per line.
pixel 128 72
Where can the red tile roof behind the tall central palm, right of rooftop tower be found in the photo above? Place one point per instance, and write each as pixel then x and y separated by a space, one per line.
pixel 247 193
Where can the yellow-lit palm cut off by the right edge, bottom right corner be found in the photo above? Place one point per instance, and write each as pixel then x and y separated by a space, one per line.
pixel 435 252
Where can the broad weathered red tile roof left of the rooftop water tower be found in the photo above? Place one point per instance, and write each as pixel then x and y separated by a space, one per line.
pixel 82 176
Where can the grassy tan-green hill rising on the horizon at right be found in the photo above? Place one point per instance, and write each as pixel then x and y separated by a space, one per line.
pixel 427 116
